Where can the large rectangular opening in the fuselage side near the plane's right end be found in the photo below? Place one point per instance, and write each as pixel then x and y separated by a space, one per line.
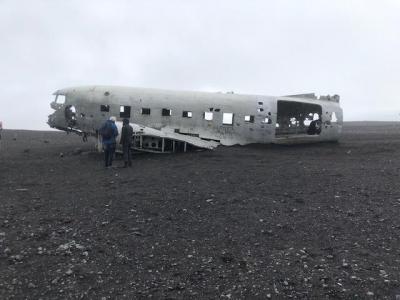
pixel 298 118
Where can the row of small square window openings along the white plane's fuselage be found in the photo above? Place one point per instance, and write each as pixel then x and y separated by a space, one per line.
pixel 227 118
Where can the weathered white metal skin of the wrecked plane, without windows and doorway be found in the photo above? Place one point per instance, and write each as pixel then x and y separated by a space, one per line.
pixel 198 129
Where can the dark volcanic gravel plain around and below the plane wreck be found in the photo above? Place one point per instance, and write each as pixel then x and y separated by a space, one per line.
pixel 314 221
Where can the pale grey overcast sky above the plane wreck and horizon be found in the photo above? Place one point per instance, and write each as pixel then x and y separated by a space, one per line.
pixel 345 47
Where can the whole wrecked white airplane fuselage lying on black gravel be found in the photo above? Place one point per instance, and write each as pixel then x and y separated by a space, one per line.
pixel 172 121
